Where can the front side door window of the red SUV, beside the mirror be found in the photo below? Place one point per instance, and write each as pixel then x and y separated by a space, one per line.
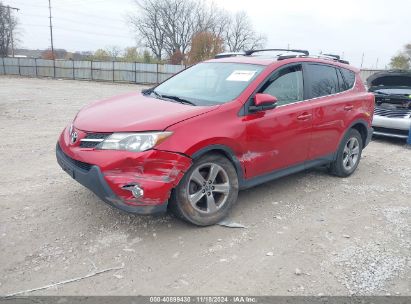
pixel 286 85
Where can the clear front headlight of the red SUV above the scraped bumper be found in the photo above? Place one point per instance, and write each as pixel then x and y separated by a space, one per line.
pixel 135 142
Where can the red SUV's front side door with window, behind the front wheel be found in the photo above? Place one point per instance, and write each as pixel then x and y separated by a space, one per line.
pixel 278 138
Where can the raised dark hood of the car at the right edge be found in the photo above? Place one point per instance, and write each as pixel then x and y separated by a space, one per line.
pixel 389 79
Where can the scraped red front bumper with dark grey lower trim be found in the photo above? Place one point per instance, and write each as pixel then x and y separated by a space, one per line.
pixel 111 175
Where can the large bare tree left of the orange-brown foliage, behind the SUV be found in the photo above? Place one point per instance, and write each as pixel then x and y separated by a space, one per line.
pixel 167 27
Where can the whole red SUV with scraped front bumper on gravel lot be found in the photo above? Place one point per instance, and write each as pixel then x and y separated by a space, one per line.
pixel 192 142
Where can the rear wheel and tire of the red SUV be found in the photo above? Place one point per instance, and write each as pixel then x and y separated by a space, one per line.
pixel 348 155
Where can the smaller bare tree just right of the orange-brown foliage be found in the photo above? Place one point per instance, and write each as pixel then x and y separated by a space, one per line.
pixel 240 34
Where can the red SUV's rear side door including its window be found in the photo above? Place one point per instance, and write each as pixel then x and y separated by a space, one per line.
pixel 327 91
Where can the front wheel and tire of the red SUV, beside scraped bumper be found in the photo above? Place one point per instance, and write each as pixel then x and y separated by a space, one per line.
pixel 207 191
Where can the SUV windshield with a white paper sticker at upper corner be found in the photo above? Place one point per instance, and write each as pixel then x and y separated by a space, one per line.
pixel 209 83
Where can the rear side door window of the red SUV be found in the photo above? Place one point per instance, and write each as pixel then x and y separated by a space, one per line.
pixel 323 80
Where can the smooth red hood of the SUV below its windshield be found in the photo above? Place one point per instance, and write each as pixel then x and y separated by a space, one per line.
pixel 135 112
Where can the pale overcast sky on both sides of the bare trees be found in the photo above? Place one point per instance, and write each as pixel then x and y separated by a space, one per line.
pixel 376 28
